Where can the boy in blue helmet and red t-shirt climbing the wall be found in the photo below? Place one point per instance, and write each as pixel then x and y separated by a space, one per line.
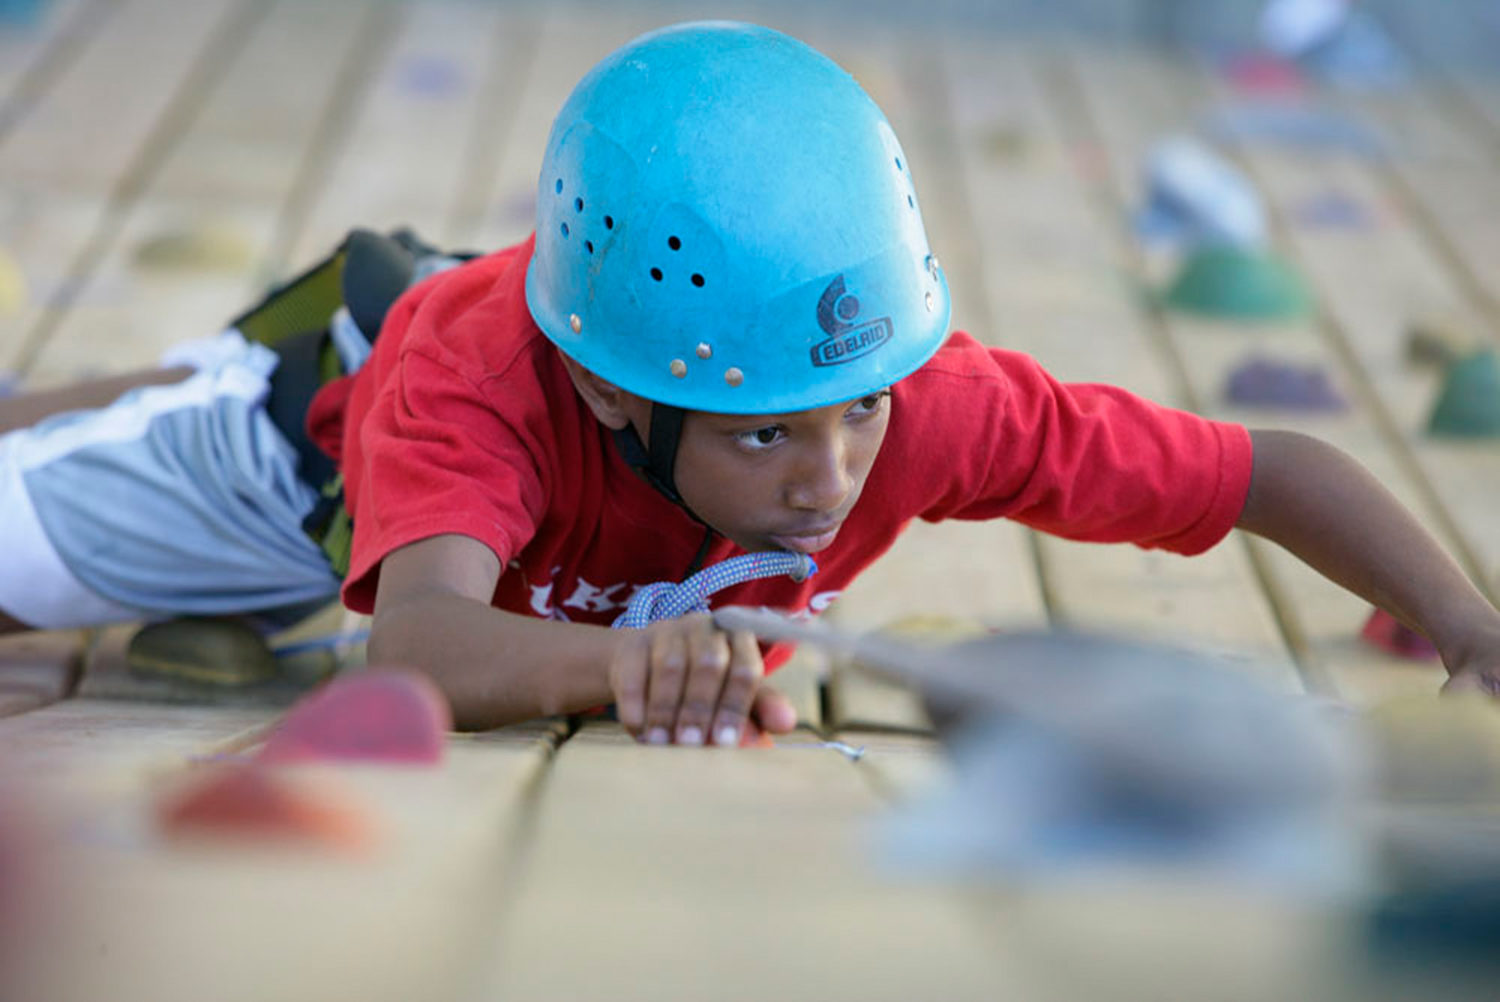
pixel 727 337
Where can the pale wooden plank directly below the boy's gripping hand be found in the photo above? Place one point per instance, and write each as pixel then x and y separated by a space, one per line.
pixel 668 872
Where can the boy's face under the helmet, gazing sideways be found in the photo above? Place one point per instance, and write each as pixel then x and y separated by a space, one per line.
pixel 782 481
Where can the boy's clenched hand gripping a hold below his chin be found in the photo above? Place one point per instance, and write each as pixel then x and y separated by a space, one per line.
pixel 692 683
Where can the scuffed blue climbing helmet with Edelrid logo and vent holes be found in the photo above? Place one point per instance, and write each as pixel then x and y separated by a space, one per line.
pixel 727 223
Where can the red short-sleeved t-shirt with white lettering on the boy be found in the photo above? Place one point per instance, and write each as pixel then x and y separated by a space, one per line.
pixel 464 421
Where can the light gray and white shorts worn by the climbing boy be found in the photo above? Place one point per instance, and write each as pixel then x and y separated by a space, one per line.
pixel 175 500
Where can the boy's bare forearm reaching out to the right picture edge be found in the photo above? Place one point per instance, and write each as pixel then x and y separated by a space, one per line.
pixel 1331 512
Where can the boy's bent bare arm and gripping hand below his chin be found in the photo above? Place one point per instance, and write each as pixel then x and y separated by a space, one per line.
pixel 679 680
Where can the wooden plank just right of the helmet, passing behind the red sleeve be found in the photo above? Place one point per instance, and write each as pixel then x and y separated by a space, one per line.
pixel 1052 271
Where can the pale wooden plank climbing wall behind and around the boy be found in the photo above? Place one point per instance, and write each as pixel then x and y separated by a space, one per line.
pixel 163 163
